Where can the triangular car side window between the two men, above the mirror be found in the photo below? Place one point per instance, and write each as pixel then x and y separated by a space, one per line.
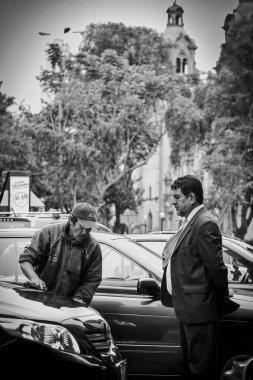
pixel 117 266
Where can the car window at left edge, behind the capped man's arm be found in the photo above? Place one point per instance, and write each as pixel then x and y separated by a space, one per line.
pixel 10 250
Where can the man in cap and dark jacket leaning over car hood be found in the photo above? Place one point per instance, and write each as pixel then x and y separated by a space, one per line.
pixel 64 258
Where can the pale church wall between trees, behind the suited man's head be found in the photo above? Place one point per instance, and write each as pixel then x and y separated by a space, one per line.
pixel 156 177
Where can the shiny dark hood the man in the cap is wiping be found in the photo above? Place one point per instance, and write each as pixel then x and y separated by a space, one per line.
pixel 19 302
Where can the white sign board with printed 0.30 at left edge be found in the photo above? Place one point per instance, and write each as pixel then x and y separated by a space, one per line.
pixel 19 193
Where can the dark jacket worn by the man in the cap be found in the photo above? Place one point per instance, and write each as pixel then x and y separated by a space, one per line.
pixel 68 267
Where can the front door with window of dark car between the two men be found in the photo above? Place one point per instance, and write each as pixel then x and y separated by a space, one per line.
pixel 145 331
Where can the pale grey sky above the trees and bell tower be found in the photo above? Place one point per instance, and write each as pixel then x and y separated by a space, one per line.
pixel 23 49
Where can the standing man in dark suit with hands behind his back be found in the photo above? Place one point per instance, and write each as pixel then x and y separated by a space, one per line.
pixel 195 280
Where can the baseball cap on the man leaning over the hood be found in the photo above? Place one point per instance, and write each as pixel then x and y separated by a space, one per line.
pixel 86 214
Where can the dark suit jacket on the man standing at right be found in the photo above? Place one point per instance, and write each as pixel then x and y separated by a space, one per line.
pixel 198 273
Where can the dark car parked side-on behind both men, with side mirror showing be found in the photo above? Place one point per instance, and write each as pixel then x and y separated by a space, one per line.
pixel 128 298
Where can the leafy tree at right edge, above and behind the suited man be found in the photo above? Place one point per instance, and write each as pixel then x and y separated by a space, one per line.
pixel 217 116
